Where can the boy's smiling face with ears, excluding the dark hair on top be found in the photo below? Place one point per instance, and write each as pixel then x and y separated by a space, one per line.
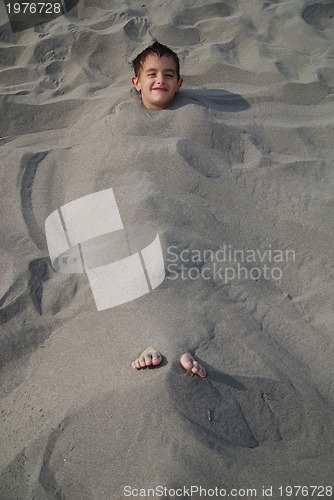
pixel 157 81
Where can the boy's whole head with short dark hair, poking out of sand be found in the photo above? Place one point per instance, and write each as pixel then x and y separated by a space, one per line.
pixel 157 75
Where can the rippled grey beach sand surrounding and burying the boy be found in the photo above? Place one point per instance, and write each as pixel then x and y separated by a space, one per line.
pixel 242 161
